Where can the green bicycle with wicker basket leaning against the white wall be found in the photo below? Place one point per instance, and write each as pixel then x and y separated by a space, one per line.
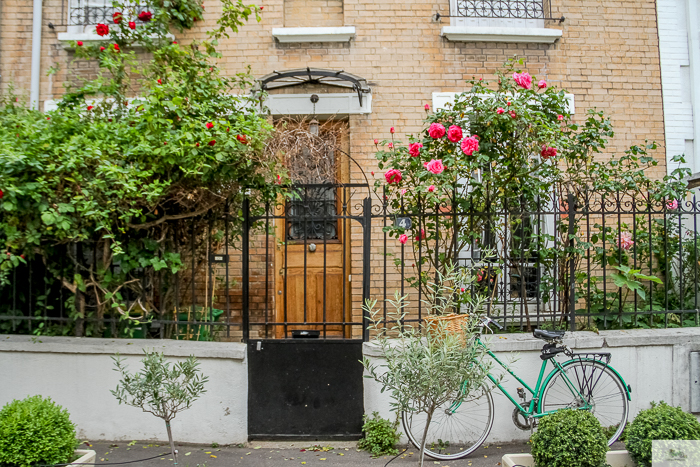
pixel 585 382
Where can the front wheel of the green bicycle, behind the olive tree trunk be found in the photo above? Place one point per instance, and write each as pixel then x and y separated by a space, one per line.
pixel 457 428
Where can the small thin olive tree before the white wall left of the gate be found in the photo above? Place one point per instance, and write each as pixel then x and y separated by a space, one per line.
pixel 159 388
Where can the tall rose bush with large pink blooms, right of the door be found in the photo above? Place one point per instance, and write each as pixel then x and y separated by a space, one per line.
pixel 509 148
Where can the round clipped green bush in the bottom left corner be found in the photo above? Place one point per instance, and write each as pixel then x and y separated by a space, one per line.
pixel 35 431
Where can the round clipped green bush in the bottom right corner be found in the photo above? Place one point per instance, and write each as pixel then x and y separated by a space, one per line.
pixel 659 422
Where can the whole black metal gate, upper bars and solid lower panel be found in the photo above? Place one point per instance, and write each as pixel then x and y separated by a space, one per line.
pixel 304 326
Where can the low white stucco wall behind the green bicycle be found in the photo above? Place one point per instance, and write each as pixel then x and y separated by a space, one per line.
pixel 654 362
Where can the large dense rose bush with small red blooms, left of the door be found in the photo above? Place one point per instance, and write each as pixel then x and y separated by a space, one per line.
pixel 129 178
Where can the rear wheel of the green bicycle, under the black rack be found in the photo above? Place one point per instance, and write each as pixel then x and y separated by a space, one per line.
pixel 602 388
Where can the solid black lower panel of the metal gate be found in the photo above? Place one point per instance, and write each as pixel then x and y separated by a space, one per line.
pixel 305 388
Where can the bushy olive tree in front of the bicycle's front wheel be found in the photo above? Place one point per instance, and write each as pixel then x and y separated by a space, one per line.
pixel 429 366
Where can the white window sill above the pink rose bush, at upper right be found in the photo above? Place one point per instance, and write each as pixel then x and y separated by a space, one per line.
pixel 494 34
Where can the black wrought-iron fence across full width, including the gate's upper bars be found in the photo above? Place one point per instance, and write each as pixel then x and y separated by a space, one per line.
pixel 305 268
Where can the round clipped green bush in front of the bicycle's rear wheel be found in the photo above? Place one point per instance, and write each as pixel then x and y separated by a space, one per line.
pixel 569 438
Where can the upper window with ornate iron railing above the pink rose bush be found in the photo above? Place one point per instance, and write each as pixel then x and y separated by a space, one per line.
pixel 500 13
